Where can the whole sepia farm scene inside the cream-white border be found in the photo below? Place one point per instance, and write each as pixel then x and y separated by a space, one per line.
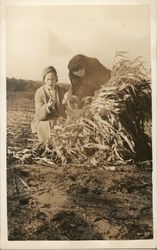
pixel 79 164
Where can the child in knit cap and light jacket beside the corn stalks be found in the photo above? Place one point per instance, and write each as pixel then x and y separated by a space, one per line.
pixel 49 105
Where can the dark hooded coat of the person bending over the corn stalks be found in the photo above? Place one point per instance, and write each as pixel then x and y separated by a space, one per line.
pixel 96 74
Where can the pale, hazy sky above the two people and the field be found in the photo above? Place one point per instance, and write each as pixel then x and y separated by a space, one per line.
pixel 39 36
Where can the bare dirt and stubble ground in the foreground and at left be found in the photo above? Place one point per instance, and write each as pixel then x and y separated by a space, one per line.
pixel 75 202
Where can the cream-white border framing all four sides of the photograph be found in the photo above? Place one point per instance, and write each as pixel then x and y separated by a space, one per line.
pixel 5 244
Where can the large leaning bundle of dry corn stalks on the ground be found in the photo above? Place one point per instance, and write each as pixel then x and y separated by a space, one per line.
pixel 109 130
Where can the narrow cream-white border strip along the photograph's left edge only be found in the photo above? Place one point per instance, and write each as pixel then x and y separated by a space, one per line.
pixel 3 122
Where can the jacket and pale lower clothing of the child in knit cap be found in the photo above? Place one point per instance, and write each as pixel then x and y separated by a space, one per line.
pixel 45 118
